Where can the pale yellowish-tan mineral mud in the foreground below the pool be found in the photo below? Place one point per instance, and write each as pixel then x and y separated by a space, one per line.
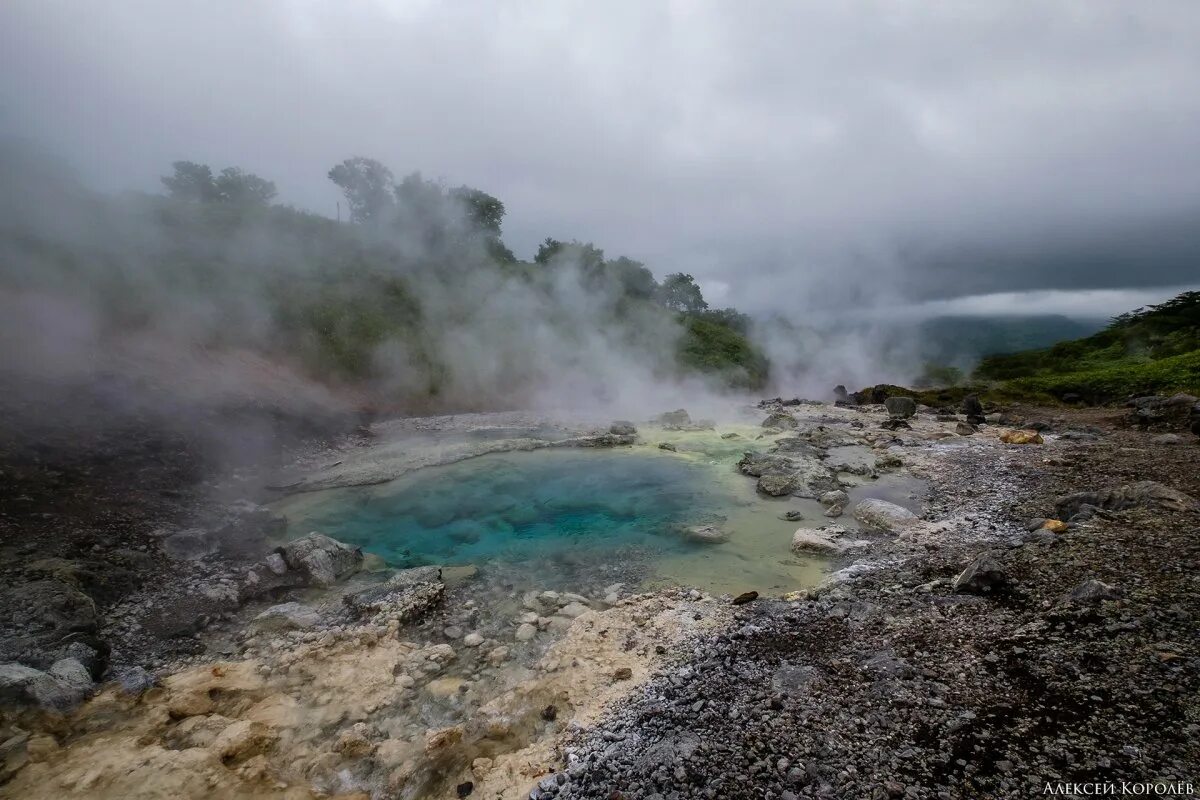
pixel 313 719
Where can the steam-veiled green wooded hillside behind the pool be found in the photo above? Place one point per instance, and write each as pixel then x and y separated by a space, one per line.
pixel 415 297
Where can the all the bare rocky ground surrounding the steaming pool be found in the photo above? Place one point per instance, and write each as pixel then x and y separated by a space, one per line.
pixel 1036 627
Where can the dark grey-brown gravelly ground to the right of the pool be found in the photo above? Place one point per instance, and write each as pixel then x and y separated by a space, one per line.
pixel 1069 658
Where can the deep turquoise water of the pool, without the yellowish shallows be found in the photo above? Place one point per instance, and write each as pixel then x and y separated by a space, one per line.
pixel 556 506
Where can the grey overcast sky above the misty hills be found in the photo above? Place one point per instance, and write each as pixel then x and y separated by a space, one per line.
pixel 790 155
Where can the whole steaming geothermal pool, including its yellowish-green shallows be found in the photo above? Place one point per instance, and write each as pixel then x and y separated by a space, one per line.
pixel 561 519
